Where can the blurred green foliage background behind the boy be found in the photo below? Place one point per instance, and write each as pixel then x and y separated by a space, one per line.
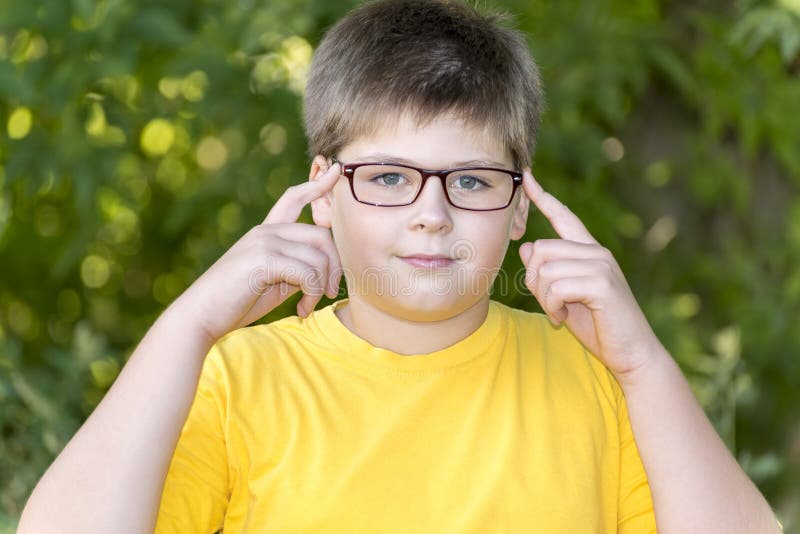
pixel 139 139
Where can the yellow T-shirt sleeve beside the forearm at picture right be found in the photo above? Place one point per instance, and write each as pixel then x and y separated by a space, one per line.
pixel 636 513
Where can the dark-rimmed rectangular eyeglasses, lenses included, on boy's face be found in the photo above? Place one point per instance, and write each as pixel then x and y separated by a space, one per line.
pixel 394 184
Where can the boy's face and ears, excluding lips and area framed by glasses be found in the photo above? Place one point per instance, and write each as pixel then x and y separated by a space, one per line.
pixel 373 240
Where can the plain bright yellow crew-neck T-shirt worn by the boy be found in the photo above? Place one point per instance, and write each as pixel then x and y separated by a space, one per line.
pixel 301 426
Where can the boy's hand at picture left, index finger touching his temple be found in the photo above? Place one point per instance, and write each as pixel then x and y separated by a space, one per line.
pixel 267 265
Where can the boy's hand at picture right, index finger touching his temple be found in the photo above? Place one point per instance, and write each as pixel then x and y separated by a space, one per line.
pixel 579 283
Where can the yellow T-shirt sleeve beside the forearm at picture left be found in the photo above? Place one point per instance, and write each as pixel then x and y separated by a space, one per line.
pixel 196 489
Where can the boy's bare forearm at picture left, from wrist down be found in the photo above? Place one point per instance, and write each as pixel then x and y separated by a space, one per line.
pixel 110 475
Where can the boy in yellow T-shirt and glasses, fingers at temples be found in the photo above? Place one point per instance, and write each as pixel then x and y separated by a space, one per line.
pixel 417 404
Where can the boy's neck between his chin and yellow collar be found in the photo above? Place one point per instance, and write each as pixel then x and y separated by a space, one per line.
pixel 406 337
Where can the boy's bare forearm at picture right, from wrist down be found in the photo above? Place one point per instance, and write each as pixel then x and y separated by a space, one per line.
pixel 696 483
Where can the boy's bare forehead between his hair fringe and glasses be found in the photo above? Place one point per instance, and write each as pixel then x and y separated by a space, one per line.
pixel 444 141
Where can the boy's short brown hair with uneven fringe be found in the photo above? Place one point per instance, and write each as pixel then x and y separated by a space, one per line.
pixel 427 58
